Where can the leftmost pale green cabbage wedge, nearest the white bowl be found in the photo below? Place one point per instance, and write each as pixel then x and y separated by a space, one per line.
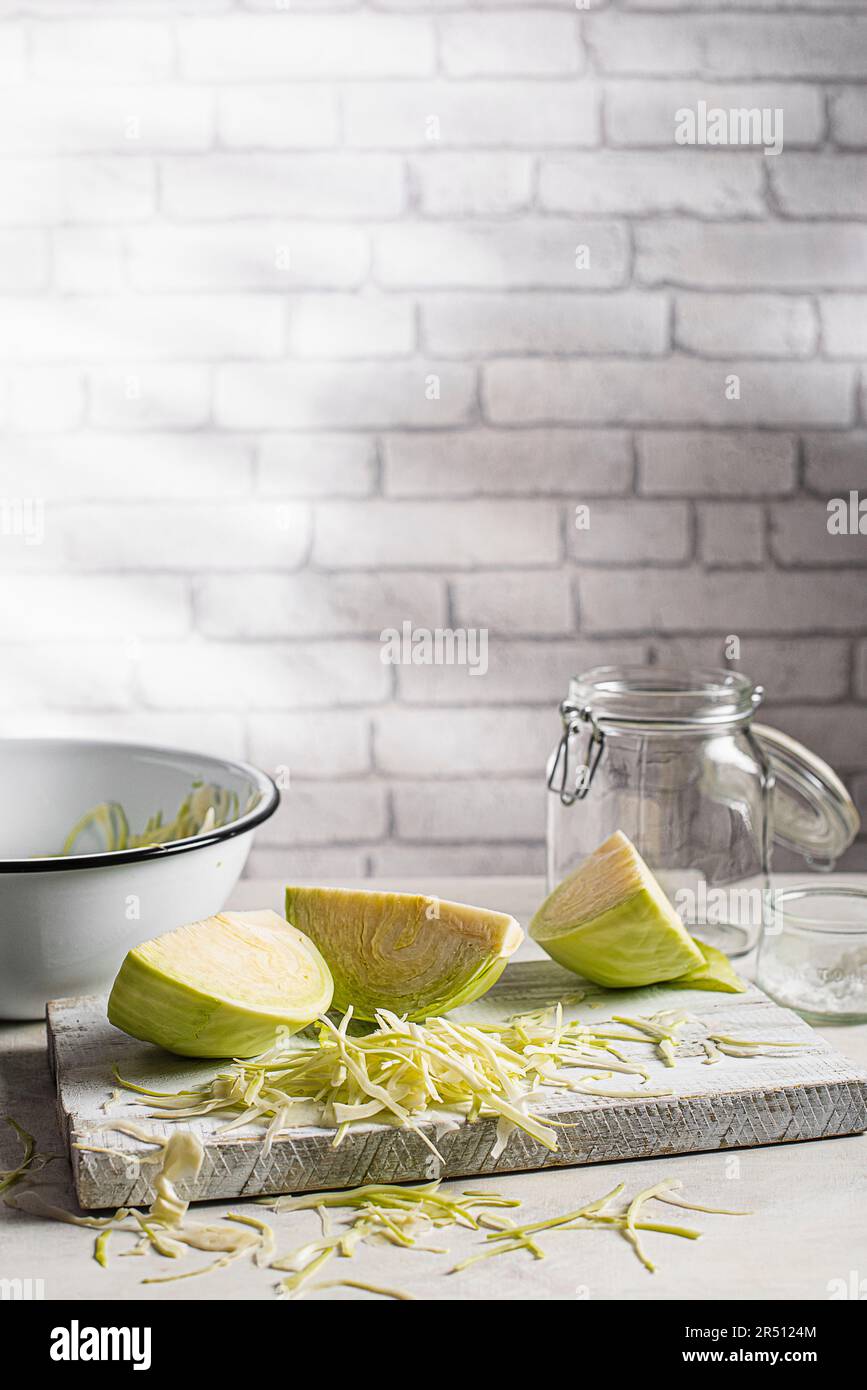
pixel 229 986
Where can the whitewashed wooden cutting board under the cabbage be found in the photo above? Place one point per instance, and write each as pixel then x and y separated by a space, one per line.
pixel 800 1095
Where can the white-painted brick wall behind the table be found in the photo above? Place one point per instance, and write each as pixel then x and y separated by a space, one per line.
pixel 244 247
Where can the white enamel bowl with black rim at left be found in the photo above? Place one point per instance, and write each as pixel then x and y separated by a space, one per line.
pixel 66 925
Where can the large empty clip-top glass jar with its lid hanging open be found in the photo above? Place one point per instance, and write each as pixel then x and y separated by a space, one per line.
pixel 675 760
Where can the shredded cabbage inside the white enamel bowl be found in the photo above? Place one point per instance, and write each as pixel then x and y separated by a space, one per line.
pixel 205 808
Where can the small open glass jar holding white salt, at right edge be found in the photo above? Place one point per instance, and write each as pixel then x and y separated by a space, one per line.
pixel 814 956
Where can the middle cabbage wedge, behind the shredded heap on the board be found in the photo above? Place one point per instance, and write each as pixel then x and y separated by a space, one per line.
pixel 399 951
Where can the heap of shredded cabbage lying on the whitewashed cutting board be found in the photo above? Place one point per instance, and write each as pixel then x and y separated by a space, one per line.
pixel 441 1072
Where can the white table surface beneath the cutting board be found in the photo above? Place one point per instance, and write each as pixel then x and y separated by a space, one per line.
pixel 807 1238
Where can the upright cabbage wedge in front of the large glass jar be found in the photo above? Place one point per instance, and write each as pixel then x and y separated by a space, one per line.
pixel 611 922
